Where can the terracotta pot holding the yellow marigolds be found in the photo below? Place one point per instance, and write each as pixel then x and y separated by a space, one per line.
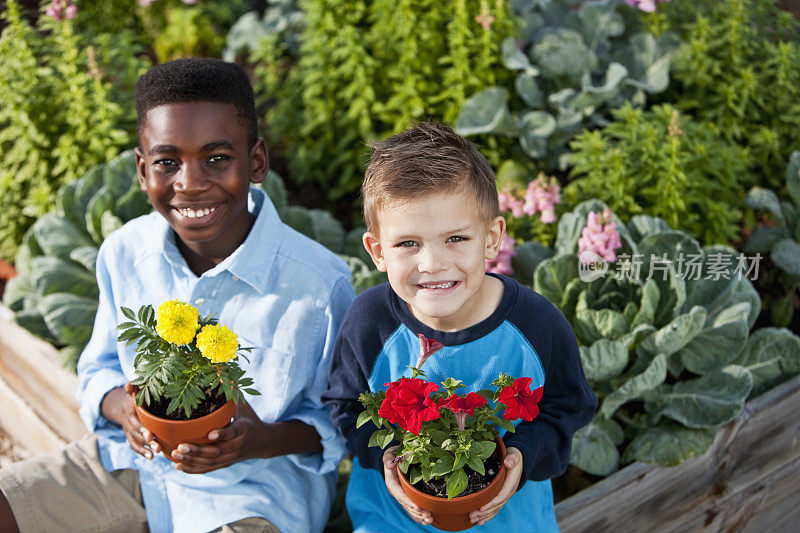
pixel 170 433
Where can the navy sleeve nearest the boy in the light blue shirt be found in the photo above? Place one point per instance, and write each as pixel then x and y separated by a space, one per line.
pixel 366 325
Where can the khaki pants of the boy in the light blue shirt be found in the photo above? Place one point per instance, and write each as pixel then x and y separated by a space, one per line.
pixel 70 491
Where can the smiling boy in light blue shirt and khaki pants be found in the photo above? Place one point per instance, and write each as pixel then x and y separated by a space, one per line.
pixel 217 243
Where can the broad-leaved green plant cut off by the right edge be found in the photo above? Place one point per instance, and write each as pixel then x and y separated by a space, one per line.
pixel 781 239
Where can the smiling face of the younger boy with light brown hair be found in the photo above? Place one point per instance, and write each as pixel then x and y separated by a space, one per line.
pixel 434 250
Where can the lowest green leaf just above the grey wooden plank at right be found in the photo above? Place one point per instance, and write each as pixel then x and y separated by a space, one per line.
pixel 668 444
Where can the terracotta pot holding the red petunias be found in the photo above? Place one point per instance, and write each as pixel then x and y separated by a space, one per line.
pixel 453 514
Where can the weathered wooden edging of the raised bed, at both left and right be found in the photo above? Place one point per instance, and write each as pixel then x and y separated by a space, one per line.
pixel 746 481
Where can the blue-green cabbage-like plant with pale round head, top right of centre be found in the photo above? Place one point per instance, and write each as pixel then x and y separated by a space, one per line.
pixel 574 63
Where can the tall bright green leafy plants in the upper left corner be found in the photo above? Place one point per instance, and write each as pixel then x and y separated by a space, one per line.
pixel 62 112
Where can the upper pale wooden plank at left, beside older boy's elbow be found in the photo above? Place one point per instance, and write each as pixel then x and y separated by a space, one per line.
pixel 30 367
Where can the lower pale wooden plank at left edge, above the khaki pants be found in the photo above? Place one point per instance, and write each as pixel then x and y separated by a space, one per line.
pixel 24 426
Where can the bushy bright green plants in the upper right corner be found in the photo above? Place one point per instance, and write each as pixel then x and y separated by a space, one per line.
pixel 738 72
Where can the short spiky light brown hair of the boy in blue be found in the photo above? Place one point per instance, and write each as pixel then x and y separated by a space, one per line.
pixel 426 159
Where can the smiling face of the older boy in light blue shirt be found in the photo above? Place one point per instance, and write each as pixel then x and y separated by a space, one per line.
pixel 195 165
